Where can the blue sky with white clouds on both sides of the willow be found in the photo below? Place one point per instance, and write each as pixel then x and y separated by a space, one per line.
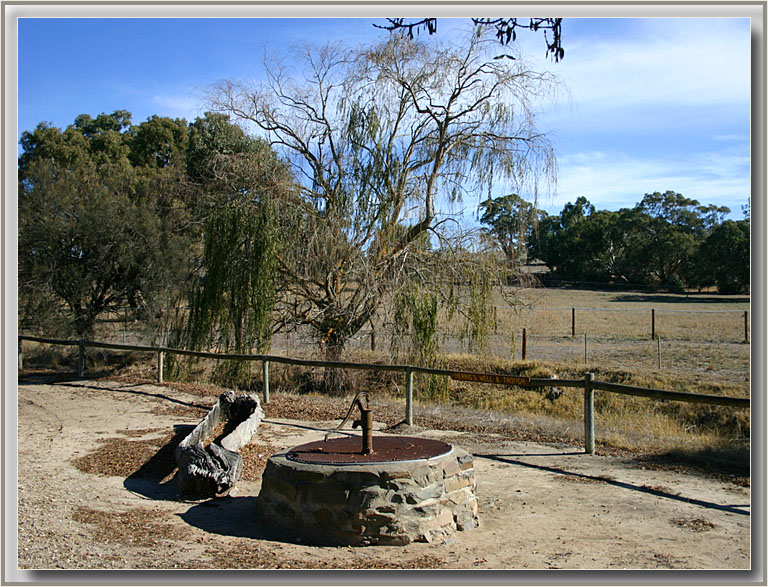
pixel 653 104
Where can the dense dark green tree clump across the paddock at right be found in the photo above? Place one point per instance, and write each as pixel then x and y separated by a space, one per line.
pixel 666 239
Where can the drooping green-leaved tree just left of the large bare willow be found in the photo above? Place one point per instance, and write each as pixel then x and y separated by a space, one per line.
pixel 233 288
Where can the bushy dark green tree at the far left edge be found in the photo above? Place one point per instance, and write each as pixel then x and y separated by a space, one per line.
pixel 84 238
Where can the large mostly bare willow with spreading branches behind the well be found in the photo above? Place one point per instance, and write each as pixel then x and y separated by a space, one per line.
pixel 383 139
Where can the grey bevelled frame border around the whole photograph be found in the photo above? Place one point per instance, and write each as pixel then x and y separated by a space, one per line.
pixel 12 10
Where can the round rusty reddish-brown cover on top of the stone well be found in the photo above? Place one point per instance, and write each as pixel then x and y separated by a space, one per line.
pixel 347 450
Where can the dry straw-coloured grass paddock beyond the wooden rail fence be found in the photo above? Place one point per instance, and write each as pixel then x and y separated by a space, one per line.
pixel 701 335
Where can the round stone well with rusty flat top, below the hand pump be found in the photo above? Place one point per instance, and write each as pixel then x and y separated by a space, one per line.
pixel 410 489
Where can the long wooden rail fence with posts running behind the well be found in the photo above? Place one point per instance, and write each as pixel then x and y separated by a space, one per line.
pixel 588 383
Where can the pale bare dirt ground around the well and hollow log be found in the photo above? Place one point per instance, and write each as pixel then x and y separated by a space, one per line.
pixel 541 506
